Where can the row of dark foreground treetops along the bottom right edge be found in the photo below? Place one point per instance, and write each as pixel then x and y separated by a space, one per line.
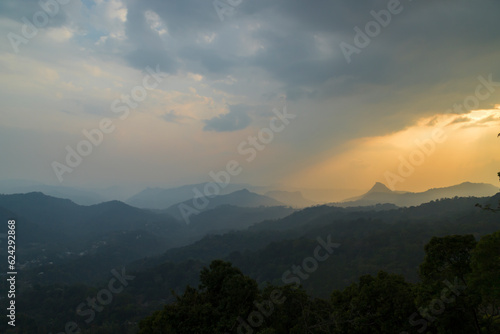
pixel 458 293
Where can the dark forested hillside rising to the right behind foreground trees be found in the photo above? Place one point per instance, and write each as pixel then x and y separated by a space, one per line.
pixel 367 240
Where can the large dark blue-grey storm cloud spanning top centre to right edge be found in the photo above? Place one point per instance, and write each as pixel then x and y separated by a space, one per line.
pixel 423 45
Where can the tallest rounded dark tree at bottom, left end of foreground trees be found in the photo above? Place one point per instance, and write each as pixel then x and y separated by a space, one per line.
pixel 224 294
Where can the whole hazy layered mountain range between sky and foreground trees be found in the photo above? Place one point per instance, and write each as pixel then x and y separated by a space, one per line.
pixel 65 249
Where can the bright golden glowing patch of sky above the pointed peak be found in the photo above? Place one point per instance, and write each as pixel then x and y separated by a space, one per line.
pixel 440 150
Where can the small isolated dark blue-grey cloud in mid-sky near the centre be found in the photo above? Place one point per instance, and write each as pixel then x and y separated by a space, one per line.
pixel 236 119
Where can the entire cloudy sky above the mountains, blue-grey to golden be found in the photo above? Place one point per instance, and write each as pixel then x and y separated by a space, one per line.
pixel 298 94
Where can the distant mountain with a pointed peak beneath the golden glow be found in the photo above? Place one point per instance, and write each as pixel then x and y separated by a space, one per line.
pixel 379 194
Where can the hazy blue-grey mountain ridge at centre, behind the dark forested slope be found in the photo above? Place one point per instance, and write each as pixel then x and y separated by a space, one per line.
pixel 241 198
